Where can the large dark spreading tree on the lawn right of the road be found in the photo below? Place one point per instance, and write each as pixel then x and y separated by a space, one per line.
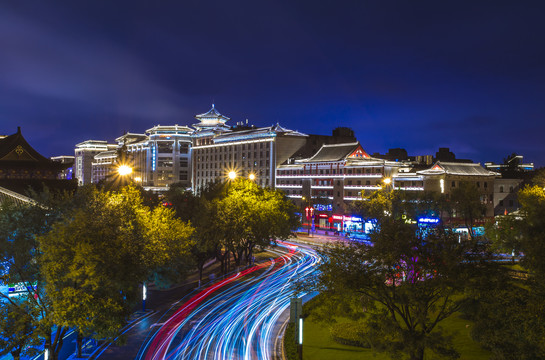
pixel 402 287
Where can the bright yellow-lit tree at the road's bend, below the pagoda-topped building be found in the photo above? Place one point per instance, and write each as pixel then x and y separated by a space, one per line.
pixel 234 218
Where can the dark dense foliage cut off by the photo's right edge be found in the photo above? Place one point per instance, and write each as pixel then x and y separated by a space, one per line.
pixel 510 319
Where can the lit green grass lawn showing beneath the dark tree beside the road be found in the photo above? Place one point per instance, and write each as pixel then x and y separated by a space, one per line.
pixel 318 344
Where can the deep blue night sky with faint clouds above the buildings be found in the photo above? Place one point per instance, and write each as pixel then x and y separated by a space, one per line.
pixel 469 75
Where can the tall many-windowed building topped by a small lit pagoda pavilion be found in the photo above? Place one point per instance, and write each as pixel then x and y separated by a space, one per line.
pixel 219 149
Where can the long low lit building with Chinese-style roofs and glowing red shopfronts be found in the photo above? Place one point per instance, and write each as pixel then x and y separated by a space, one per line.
pixel 338 174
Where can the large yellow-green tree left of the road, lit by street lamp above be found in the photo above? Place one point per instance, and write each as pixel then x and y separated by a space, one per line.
pixel 97 256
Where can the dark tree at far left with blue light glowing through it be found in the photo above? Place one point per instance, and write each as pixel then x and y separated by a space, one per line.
pixel 19 253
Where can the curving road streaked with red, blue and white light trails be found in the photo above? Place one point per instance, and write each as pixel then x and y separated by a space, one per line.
pixel 239 317
